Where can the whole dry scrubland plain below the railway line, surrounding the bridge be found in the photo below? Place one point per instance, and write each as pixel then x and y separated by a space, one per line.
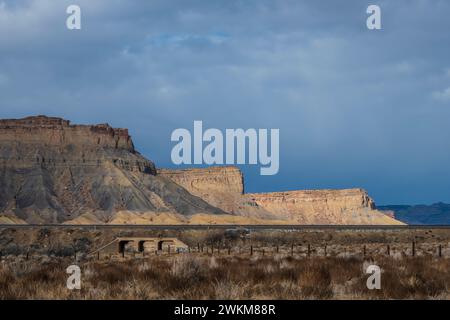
pixel 259 265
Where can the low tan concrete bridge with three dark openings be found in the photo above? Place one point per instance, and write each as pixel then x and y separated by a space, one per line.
pixel 142 244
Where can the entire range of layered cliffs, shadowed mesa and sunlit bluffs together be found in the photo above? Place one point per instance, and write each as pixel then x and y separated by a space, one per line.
pixel 54 172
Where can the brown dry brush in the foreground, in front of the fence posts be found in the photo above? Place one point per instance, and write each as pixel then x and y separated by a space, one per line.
pixel 196 276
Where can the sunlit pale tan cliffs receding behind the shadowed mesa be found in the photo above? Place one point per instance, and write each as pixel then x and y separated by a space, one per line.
pixel 223 187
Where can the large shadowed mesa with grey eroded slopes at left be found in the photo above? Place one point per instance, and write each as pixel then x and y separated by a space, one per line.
pixel 52 172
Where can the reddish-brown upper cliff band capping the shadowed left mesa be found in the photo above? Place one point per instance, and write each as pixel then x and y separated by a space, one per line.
pixel 52 142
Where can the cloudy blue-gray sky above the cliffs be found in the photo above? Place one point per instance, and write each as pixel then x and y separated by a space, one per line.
pixel 355 108
